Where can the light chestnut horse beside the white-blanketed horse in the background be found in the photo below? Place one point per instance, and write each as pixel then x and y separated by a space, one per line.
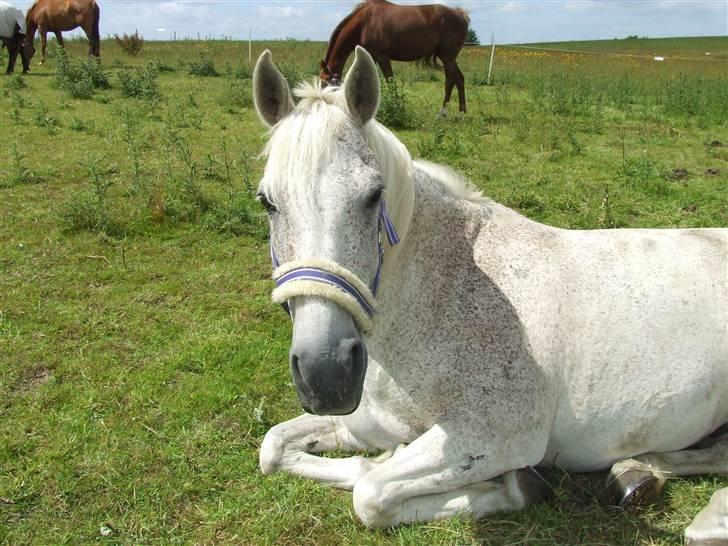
pixel 63 15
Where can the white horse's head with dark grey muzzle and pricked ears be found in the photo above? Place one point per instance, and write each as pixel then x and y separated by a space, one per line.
pixel 323 190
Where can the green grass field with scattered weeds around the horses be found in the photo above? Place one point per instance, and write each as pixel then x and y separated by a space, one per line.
pixel 141 361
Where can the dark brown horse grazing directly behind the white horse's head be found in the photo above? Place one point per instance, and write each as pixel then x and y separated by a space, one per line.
pixel 401 33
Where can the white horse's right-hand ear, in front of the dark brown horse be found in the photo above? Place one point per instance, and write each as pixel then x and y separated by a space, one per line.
pixel 361 86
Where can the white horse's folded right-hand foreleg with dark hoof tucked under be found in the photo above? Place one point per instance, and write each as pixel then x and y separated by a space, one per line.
pixel 435 478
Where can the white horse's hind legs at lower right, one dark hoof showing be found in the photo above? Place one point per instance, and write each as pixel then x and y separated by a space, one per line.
pixel 642 478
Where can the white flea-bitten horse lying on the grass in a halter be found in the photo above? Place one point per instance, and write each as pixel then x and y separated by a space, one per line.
pixel 494 343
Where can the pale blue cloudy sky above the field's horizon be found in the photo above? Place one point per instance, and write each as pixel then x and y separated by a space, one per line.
pixel 510 21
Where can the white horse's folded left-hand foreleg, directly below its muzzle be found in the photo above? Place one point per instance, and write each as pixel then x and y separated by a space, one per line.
pixel 289 446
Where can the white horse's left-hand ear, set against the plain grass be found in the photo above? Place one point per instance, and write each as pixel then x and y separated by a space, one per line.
pixel 270 90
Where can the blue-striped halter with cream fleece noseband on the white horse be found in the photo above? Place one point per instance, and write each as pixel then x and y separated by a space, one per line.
pixel 316 277
